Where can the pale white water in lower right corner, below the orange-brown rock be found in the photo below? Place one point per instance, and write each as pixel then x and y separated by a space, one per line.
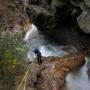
pixel 80 80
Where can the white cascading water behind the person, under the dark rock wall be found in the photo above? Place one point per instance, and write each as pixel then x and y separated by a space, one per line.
pixel 36 39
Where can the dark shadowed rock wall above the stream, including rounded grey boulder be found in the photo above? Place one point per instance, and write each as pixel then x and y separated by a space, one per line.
pixel 57 19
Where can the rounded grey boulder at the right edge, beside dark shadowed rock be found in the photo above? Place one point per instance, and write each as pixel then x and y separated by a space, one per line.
pixel 84 21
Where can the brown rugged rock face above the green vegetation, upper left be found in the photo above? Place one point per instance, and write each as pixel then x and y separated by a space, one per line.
pixel 12 15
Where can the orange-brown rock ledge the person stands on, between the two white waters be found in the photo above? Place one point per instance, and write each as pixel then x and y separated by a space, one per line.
pixel 51 74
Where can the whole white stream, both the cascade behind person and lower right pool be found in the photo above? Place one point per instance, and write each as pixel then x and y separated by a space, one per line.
pixel 35 39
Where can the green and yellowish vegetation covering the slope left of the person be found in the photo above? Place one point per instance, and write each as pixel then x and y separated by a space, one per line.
pixel 12 56
